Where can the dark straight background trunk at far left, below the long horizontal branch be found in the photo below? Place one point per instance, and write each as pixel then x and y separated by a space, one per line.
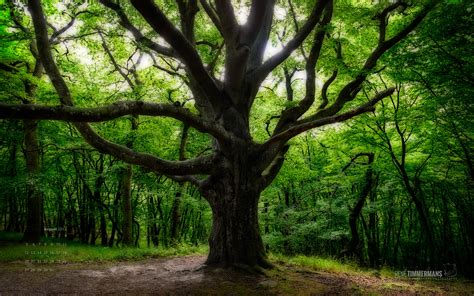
pixel 34 197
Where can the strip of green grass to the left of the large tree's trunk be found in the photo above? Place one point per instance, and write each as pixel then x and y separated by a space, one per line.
pixel 63 251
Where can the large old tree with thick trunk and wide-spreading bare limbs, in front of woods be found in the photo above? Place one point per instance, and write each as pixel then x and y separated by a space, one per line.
pixel 224 90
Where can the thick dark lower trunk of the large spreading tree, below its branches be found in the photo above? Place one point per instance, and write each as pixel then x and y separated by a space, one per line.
pixel 235 236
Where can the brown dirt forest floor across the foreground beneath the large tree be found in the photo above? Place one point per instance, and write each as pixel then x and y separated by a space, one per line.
pixel 185 275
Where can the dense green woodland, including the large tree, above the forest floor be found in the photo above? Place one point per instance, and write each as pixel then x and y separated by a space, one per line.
pixel 335 128
